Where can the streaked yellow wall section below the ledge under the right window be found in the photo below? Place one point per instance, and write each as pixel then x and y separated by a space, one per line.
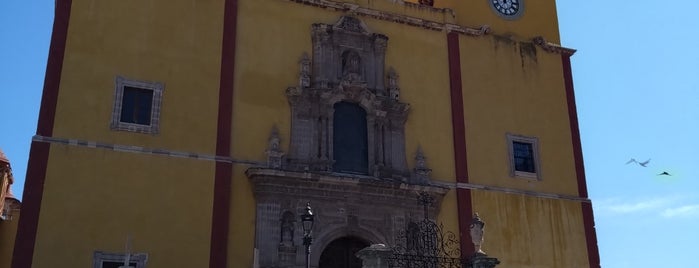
pixel 528 232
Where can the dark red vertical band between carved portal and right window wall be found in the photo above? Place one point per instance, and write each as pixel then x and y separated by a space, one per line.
pixel 463 196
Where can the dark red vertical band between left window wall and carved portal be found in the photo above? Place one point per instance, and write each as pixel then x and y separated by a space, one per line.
pixel 222 182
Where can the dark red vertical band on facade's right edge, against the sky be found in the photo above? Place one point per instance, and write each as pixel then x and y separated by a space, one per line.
pixel 588 216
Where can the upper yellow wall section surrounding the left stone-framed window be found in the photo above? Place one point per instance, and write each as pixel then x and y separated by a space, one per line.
pixel 177 43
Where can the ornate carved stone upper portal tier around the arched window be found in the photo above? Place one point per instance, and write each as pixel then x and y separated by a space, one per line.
pixel 347 67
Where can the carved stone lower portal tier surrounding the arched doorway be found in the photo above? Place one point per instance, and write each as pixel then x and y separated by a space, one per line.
pixel 371 209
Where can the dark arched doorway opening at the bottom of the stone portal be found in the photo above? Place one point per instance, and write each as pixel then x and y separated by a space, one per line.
pixel 340 253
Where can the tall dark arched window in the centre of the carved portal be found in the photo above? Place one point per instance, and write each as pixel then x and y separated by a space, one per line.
pixel 350 139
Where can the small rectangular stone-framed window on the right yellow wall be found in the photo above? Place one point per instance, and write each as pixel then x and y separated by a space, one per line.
pixel 524 156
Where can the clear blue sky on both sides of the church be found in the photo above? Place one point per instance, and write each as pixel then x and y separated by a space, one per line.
pixel 636 77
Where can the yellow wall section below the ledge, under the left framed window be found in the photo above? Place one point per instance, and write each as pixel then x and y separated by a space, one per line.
pixel 95 198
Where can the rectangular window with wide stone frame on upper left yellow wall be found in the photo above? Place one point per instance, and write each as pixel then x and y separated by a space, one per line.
pixel 137 106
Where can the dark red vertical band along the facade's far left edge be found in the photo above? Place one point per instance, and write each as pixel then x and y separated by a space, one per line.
pixel 39 152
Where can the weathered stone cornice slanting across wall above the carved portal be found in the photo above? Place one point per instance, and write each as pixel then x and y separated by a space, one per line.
pixel 398 18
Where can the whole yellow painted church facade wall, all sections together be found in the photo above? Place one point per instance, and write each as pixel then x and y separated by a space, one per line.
pixel 169 200
